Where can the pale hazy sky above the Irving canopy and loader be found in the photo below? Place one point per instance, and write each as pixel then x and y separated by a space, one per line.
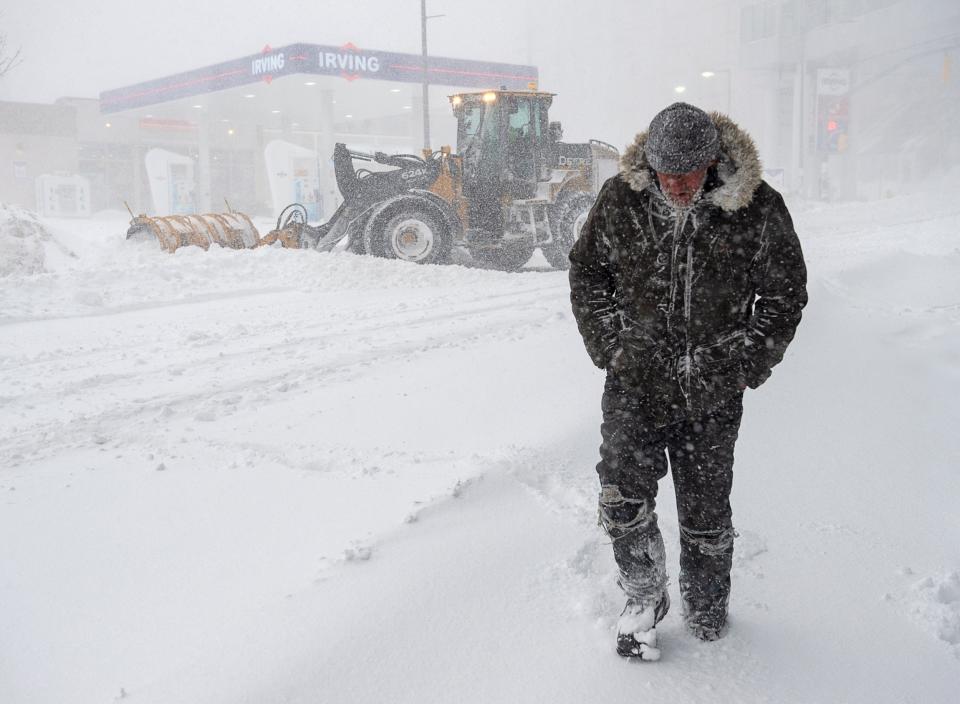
pixel 613 62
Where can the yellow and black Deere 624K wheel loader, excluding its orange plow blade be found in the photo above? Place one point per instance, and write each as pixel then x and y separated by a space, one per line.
pixel 513 185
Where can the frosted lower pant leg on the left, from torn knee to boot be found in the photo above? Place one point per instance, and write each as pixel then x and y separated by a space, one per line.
pixel 637 544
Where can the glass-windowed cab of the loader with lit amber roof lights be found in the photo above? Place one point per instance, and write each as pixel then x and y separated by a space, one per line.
pixel 505 142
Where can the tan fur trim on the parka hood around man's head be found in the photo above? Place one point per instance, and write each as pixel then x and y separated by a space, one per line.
pixel 738 167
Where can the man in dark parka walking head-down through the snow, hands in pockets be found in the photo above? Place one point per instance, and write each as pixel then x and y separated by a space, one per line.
pixel 687 283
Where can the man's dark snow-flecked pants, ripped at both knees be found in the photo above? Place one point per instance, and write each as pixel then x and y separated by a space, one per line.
pixel 633 460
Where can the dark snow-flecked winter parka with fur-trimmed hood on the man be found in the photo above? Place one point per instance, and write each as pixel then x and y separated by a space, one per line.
pixel 686 307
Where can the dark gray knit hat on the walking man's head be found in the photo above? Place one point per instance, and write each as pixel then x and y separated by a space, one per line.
pixel 681 138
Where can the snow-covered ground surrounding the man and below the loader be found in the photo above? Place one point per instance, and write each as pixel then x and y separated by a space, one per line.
pixel 274 476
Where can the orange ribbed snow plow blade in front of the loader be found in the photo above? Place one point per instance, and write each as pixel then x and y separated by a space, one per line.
pixel 233 230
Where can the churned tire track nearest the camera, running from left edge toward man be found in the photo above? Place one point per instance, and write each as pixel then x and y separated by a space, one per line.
pixel 474 322
